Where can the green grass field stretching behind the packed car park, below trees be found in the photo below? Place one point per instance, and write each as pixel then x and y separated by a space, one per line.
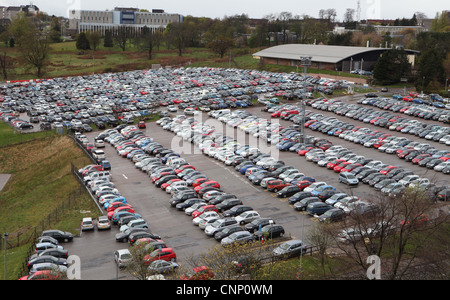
pixel 66 60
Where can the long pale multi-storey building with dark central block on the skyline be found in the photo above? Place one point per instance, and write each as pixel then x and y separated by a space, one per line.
pixel 91 20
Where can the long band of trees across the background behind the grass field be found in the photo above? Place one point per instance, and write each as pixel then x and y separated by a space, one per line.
pixel 33 36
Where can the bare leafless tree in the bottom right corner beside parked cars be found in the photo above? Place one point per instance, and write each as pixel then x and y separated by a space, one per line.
pixel 394 229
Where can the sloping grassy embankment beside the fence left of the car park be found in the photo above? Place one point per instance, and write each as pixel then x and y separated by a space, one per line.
pixel 41 181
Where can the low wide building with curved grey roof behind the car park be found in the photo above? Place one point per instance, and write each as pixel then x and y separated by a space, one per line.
pixel 325 57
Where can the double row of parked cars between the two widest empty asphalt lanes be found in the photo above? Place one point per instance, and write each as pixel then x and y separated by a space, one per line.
pixel 221 215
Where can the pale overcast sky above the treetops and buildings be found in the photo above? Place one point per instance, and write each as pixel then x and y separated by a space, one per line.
pixel 370 9
